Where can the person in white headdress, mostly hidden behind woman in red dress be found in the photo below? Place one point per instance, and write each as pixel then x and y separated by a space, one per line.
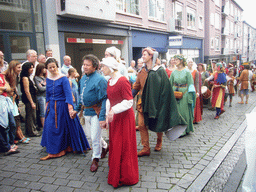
pixel 116 53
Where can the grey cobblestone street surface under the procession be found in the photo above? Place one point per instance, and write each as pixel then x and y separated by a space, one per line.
pixel 186 164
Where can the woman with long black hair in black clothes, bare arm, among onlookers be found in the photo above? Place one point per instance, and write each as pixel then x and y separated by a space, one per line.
pixel 28 91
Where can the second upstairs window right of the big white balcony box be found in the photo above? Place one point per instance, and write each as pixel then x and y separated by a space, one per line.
pixel 156 9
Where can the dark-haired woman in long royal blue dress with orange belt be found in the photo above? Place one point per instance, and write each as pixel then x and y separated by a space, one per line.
pixel 61 134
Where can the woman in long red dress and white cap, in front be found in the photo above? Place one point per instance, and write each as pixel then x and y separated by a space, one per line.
pixel 123 160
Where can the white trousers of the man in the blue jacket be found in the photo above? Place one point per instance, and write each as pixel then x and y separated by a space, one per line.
pixel 92 130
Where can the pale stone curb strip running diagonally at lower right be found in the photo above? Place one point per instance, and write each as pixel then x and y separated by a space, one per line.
pixel 201 181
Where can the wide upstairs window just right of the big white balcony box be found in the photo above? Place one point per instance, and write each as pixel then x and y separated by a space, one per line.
pixel 128 6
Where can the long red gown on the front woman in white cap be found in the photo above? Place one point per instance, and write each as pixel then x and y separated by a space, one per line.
pixel 123 160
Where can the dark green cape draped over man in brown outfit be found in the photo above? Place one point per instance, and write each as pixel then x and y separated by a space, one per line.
pixel 159 103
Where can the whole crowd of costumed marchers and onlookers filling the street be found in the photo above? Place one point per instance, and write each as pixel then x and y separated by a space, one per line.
pixel 169 96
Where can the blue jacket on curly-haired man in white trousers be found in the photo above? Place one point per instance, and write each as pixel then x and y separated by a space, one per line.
pixel 93 90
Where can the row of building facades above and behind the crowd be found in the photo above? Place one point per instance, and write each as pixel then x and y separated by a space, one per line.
pixel 204 30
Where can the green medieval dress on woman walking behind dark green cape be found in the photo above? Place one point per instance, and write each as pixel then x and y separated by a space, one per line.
pixel 183 81
